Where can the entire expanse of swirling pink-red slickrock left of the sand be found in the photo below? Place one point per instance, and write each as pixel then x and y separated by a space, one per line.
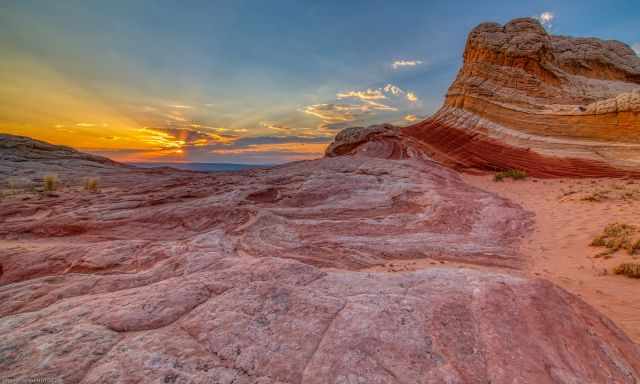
pixel 254 277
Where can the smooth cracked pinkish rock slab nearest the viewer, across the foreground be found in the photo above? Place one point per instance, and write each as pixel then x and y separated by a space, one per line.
pixel 269 320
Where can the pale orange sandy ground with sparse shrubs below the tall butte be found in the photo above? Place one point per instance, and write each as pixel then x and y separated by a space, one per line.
pixel 569 214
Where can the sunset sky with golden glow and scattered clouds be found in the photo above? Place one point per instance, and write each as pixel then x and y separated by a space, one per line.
pixel 256 82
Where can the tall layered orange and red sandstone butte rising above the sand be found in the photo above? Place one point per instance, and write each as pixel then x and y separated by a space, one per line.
pixel 550 105
